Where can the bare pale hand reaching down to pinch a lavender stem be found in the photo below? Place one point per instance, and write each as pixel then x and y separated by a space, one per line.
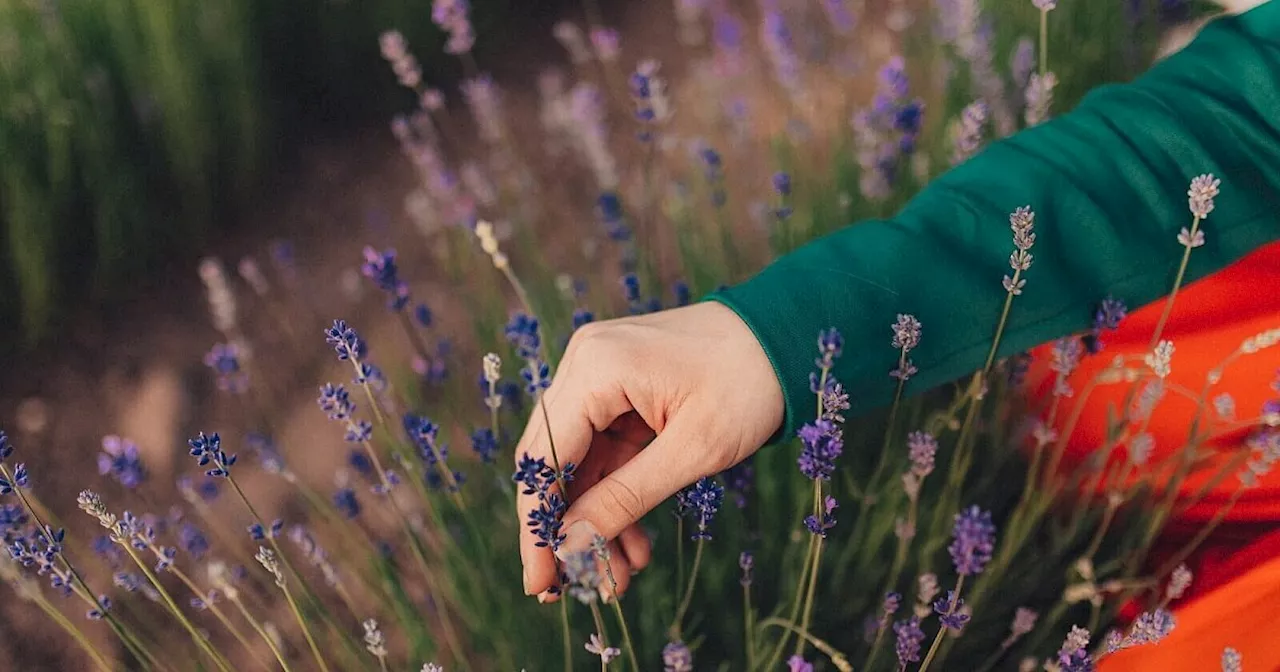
pixel 693 381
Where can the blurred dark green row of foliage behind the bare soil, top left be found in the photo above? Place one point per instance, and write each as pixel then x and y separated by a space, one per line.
pixel 135 132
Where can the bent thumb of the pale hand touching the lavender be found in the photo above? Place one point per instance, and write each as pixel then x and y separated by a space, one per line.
pixel 676 459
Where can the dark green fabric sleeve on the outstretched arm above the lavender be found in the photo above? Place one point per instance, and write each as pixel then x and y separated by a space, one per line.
pixel 1108 184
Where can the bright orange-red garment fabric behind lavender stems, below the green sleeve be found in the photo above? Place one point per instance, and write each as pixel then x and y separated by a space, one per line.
pixel 1237 591
